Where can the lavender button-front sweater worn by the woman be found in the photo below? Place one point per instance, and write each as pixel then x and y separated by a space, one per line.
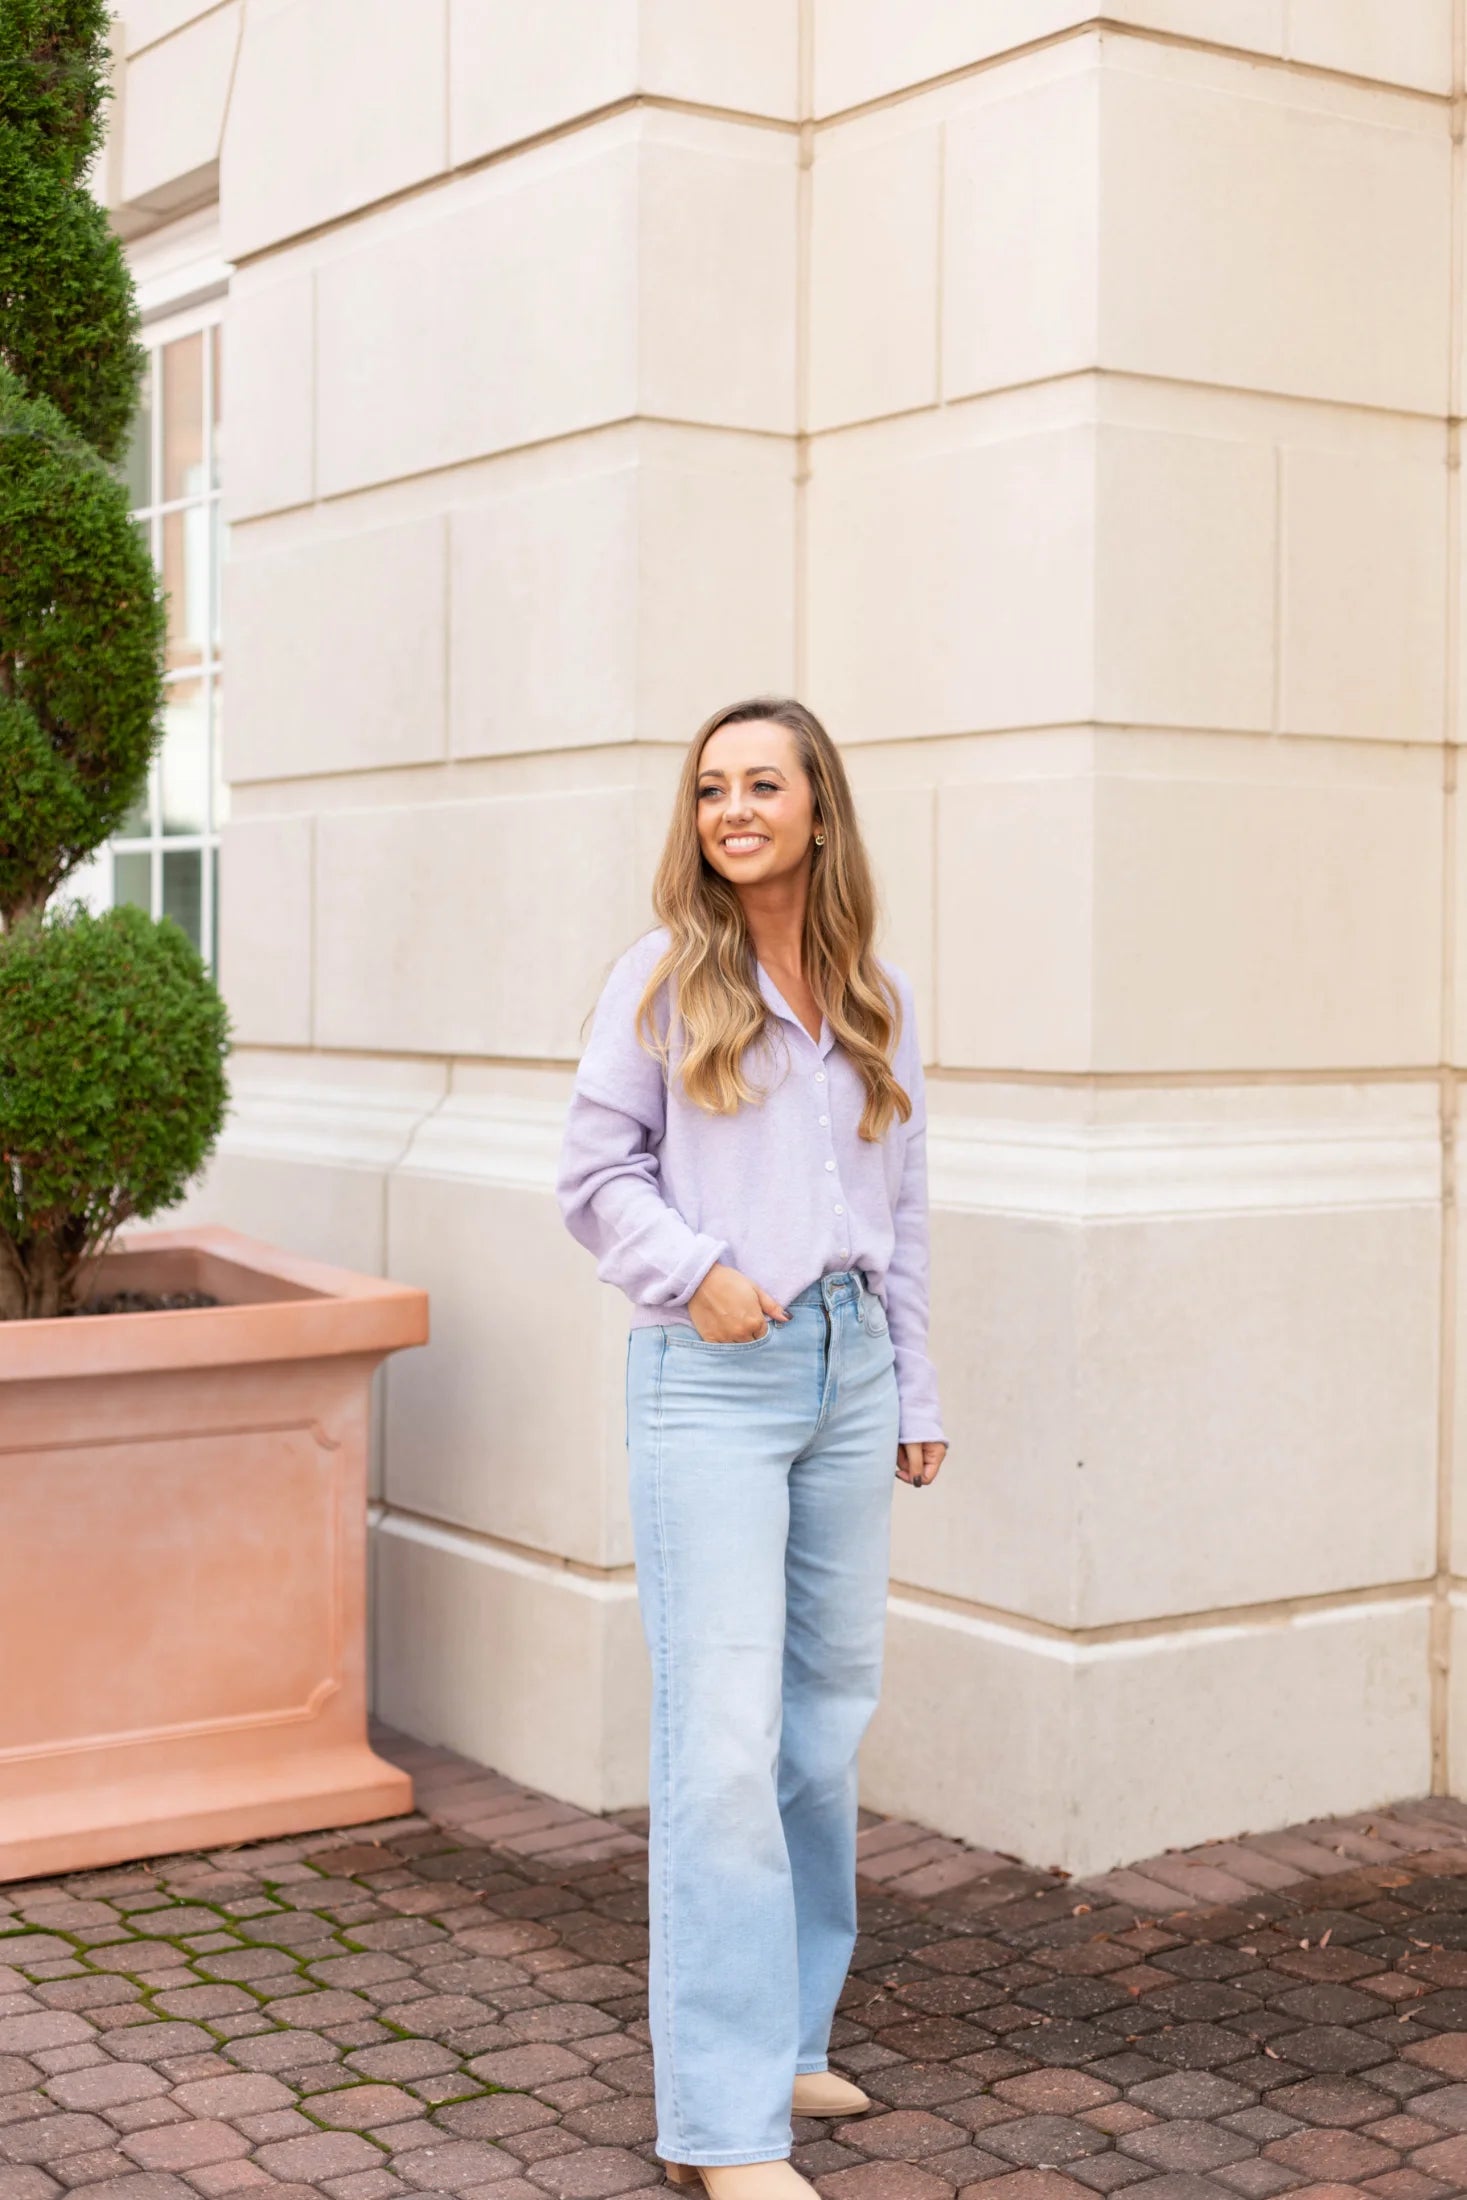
pixel 784 1191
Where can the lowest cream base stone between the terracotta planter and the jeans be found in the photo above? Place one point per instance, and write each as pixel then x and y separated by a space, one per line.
pixel 518 1664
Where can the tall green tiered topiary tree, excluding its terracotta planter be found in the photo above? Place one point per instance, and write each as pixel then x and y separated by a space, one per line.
pixel 111 1031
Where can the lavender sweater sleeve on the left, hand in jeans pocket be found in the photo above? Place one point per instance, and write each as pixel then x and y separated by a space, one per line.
pixel 608 1180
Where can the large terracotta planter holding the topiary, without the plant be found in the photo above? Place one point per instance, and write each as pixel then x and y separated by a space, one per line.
pixel 184 1515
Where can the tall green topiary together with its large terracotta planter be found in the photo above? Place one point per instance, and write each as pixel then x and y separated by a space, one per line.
pixel 184 1416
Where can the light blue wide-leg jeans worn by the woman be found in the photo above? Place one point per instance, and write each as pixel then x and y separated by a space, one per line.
pixel 762 1512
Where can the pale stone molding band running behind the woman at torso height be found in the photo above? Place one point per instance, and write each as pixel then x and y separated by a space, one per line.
pixel 1077 1174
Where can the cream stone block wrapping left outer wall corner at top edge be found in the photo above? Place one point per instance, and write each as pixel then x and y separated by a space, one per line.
pixel 520 71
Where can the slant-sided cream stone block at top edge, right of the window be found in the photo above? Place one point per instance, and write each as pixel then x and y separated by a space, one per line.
pixel 311 133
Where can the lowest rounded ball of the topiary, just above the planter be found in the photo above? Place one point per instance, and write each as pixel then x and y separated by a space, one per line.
pixel 111 1090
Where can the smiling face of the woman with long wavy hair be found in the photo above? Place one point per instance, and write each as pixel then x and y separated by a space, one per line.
pixel 755 806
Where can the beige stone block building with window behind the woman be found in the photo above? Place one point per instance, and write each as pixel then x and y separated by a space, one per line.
pixel 1068 408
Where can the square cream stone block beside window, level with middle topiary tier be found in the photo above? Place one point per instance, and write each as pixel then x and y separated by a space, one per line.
pixel 338 652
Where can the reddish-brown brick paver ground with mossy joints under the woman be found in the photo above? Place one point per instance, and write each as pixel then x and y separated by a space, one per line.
pixel 456 2005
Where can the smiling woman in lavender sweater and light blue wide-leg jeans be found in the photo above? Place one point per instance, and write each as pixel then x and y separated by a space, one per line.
pixel 747 1160
